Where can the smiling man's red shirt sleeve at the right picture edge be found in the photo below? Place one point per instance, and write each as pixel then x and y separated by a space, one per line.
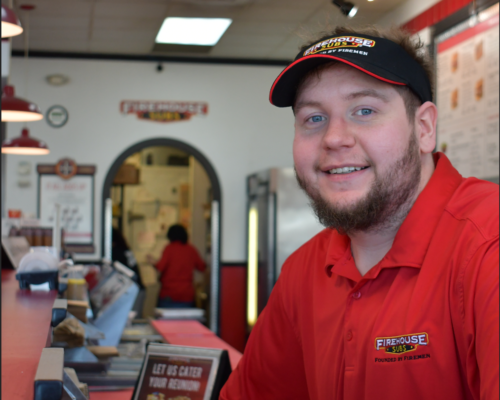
pixel 481 311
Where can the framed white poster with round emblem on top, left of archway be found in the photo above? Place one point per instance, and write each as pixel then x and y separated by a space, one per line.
pixel 72 187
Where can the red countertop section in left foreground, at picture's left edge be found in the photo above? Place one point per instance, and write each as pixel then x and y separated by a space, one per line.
pixel 26 319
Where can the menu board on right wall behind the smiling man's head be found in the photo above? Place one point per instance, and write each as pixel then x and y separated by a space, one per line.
pixel 467 97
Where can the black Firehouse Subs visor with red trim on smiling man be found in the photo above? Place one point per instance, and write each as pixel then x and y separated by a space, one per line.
pixel 379 57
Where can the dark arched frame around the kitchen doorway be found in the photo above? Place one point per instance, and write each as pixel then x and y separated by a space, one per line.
pixel 215 211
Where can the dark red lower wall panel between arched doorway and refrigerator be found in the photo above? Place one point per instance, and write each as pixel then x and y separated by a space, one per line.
pixel 233 306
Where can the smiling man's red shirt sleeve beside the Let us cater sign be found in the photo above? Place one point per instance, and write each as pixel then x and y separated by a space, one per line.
pixel 272 366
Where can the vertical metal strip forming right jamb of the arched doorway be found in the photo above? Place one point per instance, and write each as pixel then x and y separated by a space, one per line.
pixel 214 272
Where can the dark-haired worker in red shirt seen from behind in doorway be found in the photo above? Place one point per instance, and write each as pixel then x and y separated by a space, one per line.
pixel 176 267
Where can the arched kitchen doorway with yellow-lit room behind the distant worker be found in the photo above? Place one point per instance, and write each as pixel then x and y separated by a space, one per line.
pixel 160 182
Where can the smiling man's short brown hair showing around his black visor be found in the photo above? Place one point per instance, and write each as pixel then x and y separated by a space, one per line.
pixel 414 47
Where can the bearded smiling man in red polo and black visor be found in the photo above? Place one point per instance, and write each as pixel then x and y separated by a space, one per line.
pixel 398 297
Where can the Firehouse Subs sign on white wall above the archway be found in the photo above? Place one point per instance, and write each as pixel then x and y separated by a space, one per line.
pixel 163 111
